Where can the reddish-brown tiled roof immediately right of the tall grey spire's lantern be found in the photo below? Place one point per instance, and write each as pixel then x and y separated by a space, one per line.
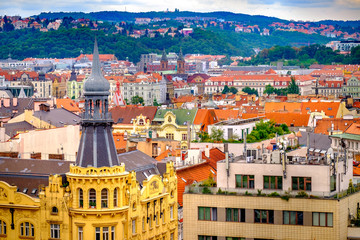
pixel 125 114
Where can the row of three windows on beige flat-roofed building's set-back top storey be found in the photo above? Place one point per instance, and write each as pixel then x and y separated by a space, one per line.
pixel 273 182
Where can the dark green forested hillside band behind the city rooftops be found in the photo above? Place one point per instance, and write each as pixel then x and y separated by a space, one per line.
pixel 65 43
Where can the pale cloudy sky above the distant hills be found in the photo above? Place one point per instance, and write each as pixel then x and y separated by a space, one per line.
pixel 306 10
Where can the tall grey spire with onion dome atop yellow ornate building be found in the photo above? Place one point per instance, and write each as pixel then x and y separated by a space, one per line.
pixel 97 147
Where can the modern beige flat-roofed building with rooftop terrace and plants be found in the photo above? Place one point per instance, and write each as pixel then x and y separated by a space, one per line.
pixel 274 198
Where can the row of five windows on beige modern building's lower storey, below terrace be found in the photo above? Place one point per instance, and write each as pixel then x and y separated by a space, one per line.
pixel 321 219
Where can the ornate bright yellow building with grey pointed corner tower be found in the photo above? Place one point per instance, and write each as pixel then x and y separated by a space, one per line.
pixel 97 199
